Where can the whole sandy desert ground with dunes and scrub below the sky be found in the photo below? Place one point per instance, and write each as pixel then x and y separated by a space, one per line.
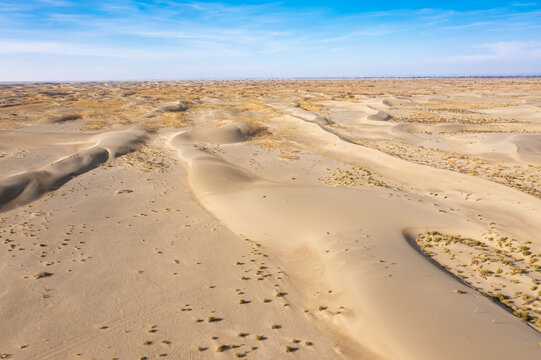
pixel 336 219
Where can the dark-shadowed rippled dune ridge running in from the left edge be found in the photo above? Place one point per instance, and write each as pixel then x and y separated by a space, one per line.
pixel 20 189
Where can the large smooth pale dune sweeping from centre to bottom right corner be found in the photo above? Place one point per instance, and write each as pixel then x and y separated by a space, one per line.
pixel 387 296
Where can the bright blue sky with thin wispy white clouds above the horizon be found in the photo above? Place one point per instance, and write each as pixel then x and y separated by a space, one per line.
pixel 42 40
